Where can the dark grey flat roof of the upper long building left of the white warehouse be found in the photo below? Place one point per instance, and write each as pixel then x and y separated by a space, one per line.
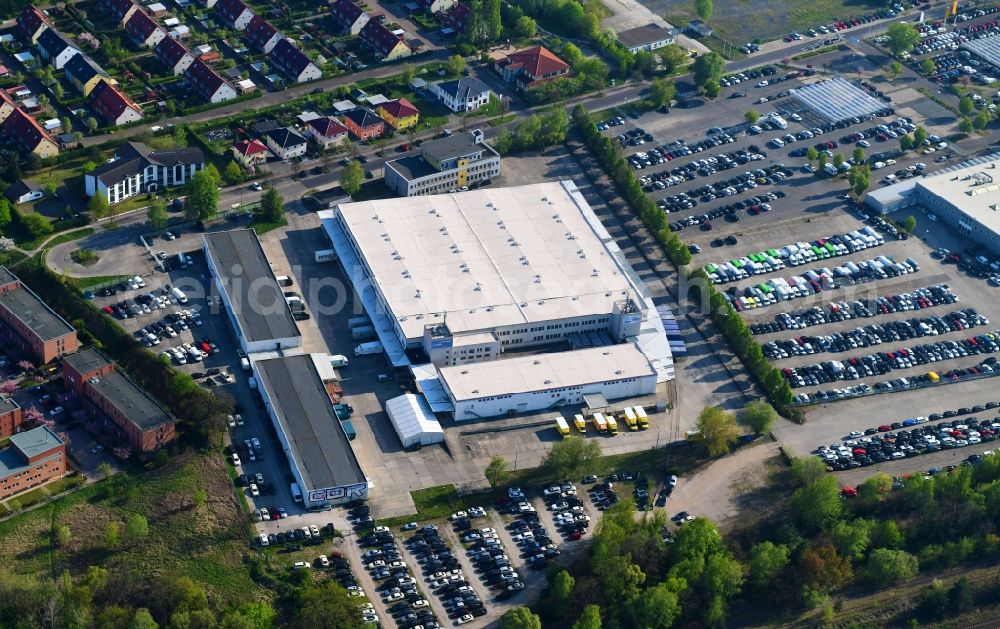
pixel 260 305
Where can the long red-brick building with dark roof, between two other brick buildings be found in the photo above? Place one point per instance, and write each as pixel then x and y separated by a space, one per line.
pixel 132 416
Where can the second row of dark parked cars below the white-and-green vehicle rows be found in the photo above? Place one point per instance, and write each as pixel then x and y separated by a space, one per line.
pixel 874 334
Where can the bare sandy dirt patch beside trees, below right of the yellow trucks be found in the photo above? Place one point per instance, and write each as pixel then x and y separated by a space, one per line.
pixel 721 490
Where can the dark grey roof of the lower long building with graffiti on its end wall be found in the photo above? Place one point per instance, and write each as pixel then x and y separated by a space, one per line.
pixel 320 448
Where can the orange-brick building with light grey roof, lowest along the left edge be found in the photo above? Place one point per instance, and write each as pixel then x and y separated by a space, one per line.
pixel 33 457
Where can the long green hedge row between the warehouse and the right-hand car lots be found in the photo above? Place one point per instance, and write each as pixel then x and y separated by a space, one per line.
pixel 729 323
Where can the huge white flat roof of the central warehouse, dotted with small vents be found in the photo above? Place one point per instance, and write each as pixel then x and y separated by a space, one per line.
pixel 489 258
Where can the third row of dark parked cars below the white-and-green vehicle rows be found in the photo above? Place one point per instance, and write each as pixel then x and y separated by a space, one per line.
pixel 881 363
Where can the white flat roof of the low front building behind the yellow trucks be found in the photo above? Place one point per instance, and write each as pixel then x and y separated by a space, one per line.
pixel 541 372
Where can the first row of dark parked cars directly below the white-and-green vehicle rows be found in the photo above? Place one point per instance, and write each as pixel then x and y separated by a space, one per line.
pixel 918 299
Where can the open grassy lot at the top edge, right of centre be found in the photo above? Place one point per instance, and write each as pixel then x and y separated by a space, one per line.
pixel 741 21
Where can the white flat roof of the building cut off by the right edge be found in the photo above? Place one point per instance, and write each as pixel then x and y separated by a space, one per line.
pixel 973 188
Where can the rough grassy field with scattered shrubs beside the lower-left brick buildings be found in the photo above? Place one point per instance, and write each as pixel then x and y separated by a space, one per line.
pixel 209 542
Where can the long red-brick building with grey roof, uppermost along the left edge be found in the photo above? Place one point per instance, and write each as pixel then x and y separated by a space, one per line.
pixel 28 325
